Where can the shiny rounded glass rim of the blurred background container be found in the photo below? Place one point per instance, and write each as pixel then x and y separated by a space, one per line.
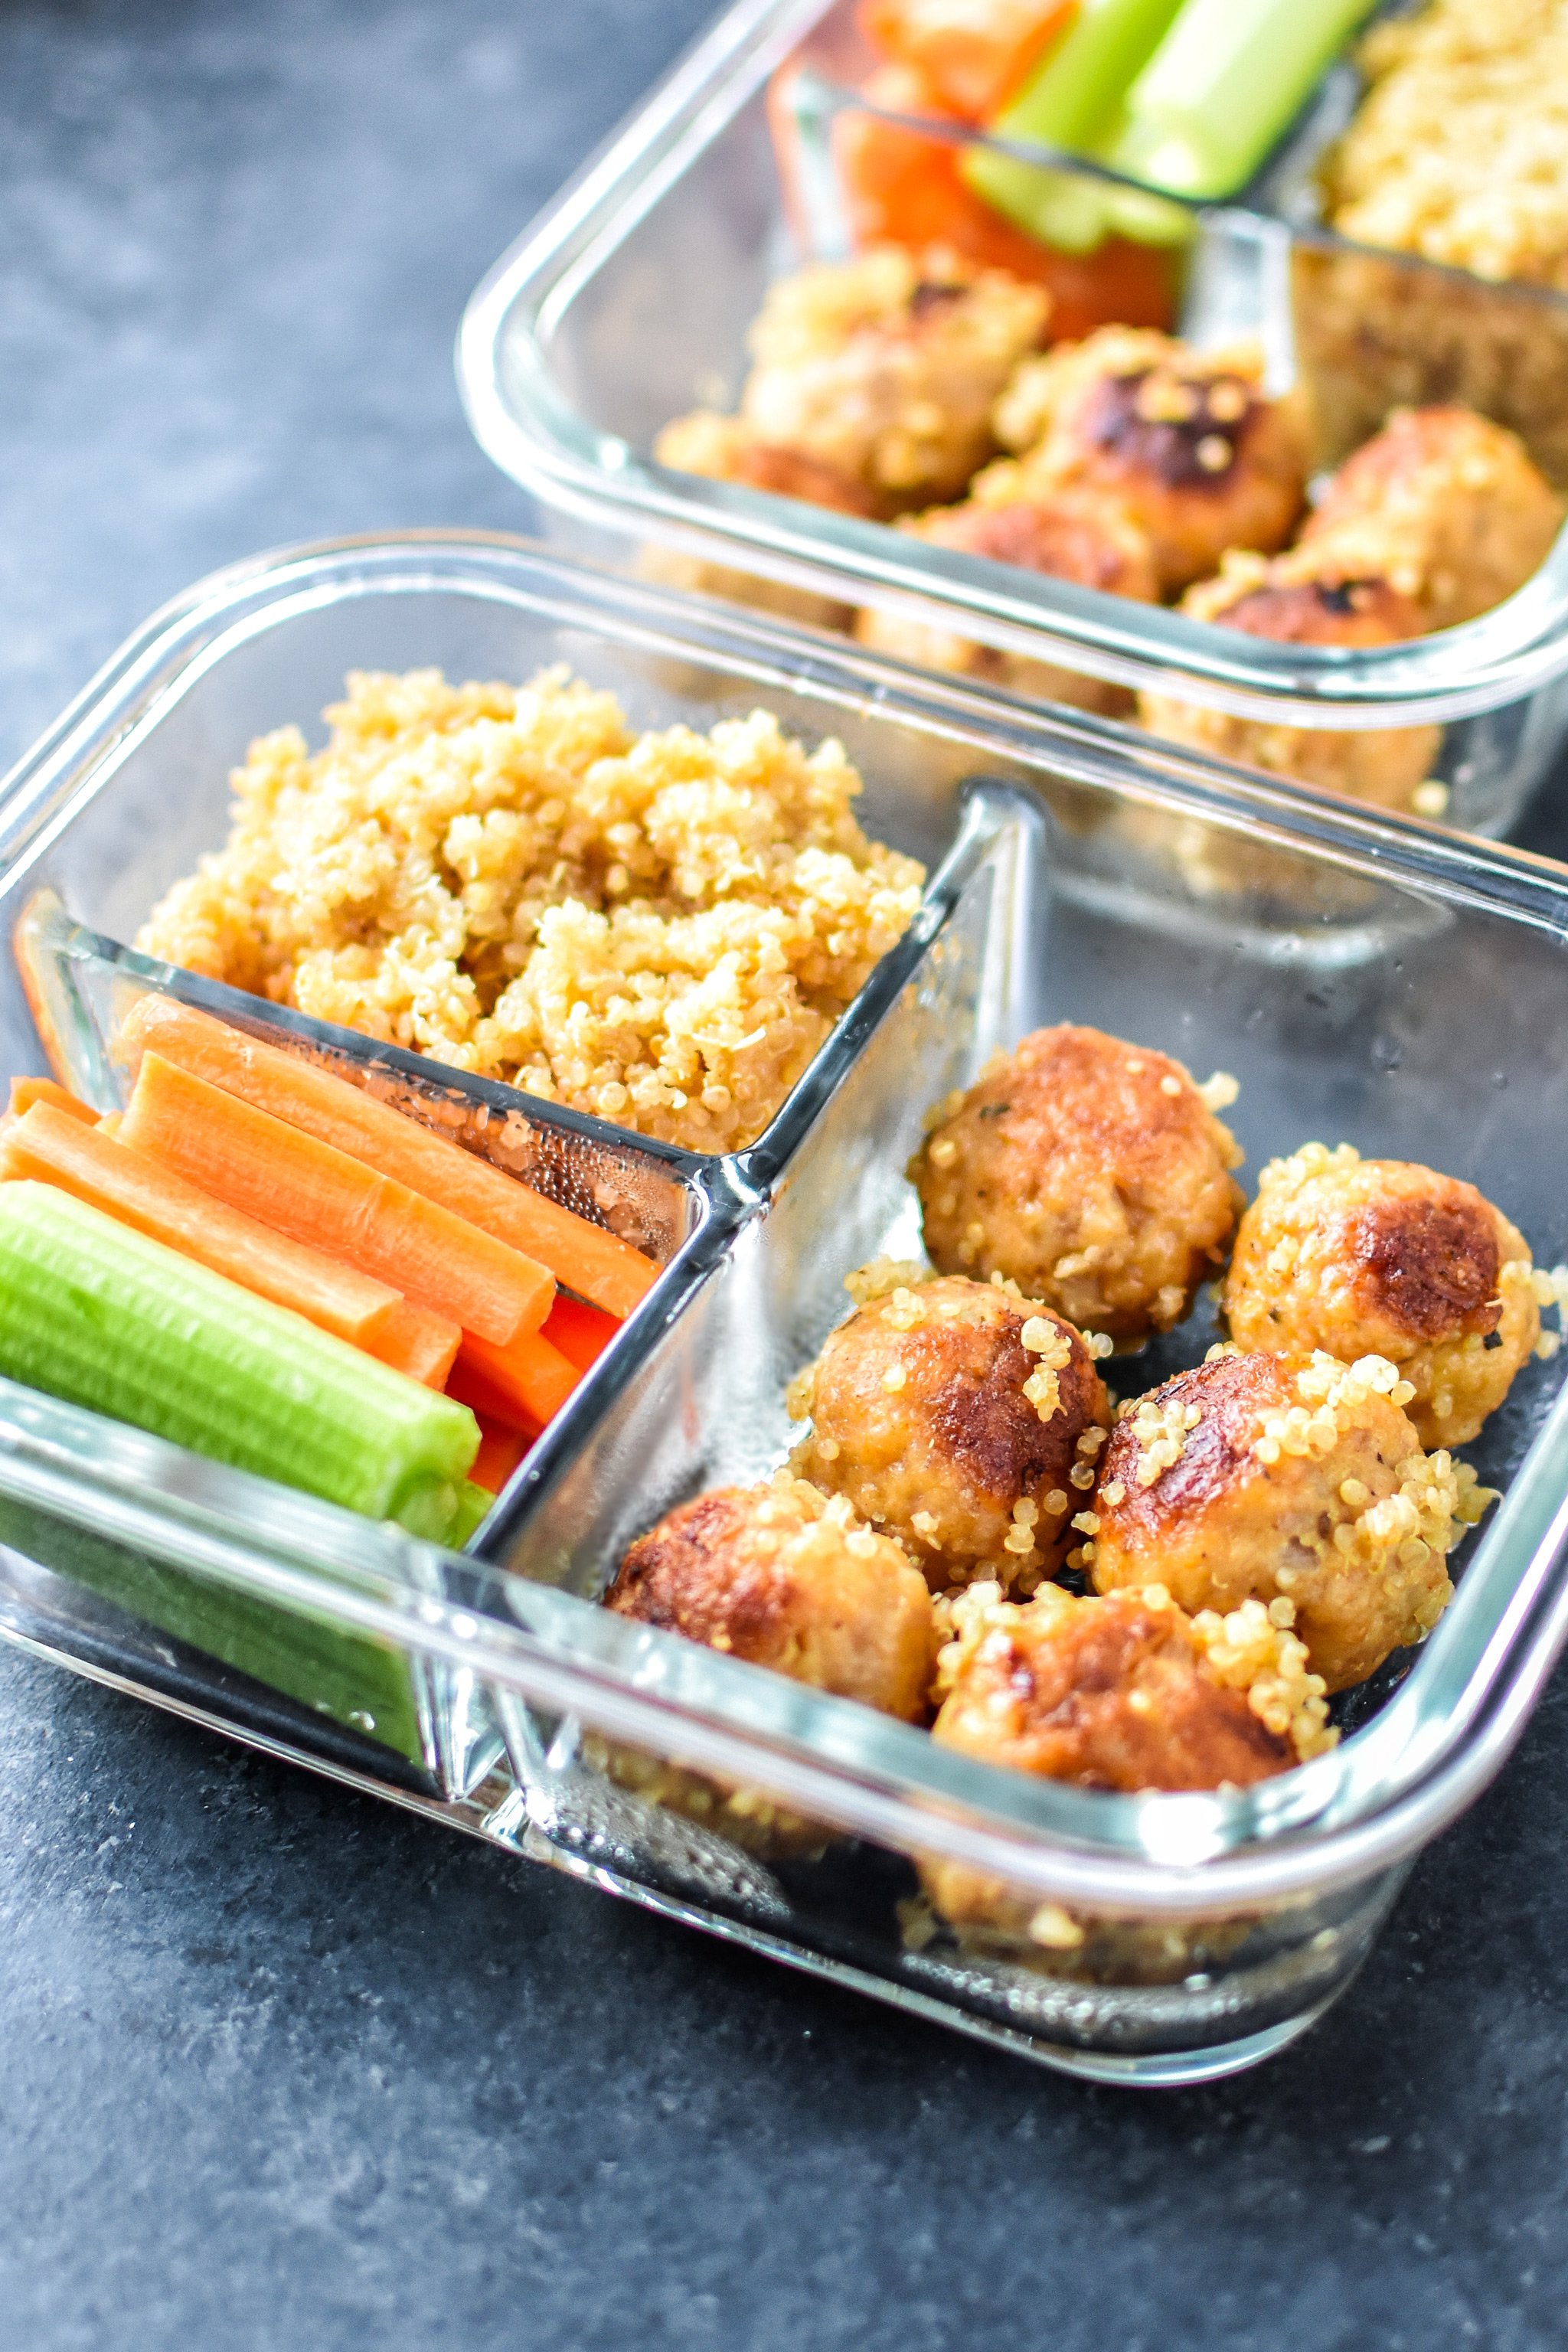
pixel 535 436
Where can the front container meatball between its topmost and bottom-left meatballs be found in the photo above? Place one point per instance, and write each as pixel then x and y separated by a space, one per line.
pixel 960 1419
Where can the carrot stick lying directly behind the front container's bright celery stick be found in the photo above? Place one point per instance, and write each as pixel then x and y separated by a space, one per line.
pixel 138 1191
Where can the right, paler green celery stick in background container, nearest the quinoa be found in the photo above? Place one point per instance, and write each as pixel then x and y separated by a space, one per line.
pixel 1224 86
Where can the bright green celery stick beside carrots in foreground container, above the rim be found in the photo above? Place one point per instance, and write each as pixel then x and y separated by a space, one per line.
pixel 107 1318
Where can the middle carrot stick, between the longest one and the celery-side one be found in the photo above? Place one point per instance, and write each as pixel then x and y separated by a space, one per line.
pixel 335 1203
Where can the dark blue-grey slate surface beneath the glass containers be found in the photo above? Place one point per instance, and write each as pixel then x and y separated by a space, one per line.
pixel 286 2069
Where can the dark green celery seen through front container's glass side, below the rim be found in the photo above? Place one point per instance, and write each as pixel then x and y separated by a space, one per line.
pixel 349 1678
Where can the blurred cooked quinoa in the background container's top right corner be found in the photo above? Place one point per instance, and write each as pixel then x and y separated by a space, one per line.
pixel 1461 147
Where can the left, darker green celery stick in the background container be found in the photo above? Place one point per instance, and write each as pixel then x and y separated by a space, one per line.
pixel 1073 100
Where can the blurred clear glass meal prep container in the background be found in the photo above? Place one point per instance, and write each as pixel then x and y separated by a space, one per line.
pixel 626 305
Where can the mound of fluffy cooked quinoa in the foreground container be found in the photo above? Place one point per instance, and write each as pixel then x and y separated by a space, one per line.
pixel 652 928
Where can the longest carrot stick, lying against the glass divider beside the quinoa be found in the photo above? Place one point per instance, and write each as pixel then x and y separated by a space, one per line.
pixel 589 1259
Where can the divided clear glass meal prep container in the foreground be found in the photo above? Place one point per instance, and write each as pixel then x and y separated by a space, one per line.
pixel 1391 984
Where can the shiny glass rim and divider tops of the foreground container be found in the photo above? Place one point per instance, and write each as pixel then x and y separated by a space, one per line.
pixel 1327 1824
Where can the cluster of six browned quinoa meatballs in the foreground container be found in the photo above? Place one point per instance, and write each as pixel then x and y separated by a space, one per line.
pixel 1254 1535
